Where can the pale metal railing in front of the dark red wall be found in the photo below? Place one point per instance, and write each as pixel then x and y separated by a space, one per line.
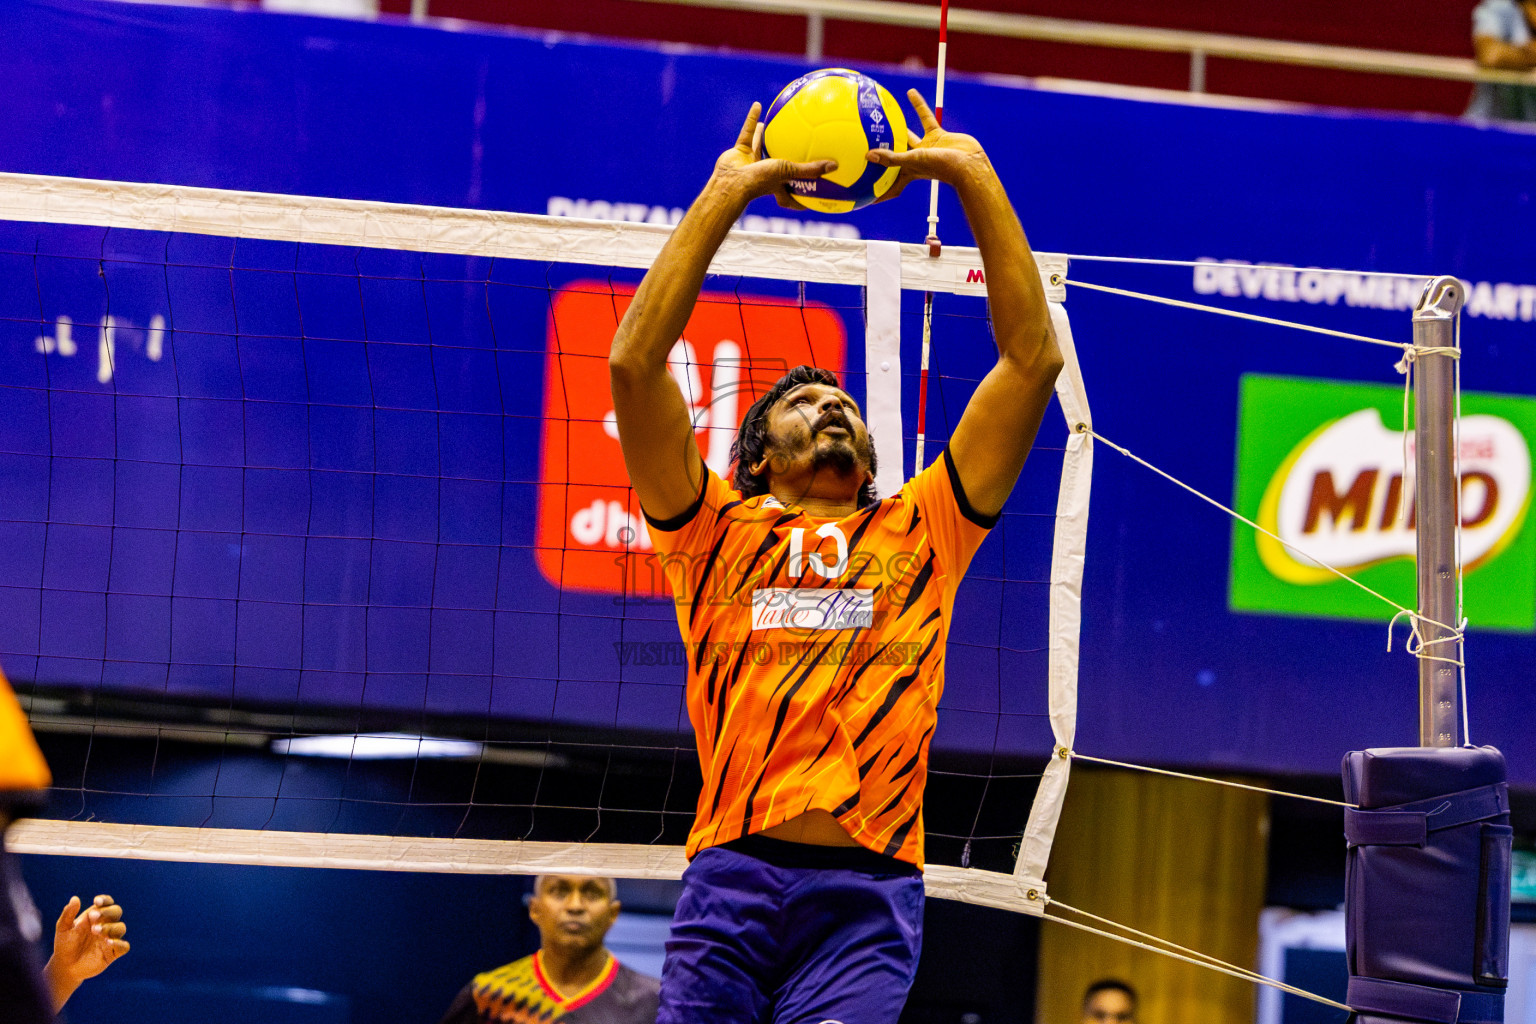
pixel 1197 45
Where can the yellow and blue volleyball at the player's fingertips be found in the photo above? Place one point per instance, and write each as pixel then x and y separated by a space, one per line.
pixel 836 114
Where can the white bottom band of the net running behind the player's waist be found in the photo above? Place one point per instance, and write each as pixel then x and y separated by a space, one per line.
pixel 394 853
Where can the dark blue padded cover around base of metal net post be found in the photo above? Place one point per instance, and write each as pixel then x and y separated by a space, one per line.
pixel 1428 885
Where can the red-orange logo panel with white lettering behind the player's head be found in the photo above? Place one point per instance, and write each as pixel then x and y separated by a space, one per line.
pixel 591 532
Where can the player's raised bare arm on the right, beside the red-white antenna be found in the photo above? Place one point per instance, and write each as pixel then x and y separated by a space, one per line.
pixel 999 426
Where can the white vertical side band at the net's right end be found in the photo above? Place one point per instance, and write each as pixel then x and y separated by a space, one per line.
pixel 1068 555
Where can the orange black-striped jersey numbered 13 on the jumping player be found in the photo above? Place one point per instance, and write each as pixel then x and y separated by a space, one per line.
pixel 816 655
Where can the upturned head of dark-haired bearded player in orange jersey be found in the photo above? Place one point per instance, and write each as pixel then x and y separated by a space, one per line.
pixel 806 435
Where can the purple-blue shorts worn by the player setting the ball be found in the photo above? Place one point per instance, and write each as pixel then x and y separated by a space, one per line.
pixel 773 933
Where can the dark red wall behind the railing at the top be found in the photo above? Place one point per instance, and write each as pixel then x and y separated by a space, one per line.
pixel 1426 28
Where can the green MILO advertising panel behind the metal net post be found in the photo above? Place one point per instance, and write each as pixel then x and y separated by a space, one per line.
pixel 1322 466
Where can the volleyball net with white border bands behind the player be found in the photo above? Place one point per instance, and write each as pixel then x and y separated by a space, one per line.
pixel 296 477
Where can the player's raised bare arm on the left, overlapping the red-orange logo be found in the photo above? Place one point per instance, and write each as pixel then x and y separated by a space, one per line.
pixel 655 431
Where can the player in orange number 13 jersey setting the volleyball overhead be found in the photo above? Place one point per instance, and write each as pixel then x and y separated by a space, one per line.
pixel 804 896
